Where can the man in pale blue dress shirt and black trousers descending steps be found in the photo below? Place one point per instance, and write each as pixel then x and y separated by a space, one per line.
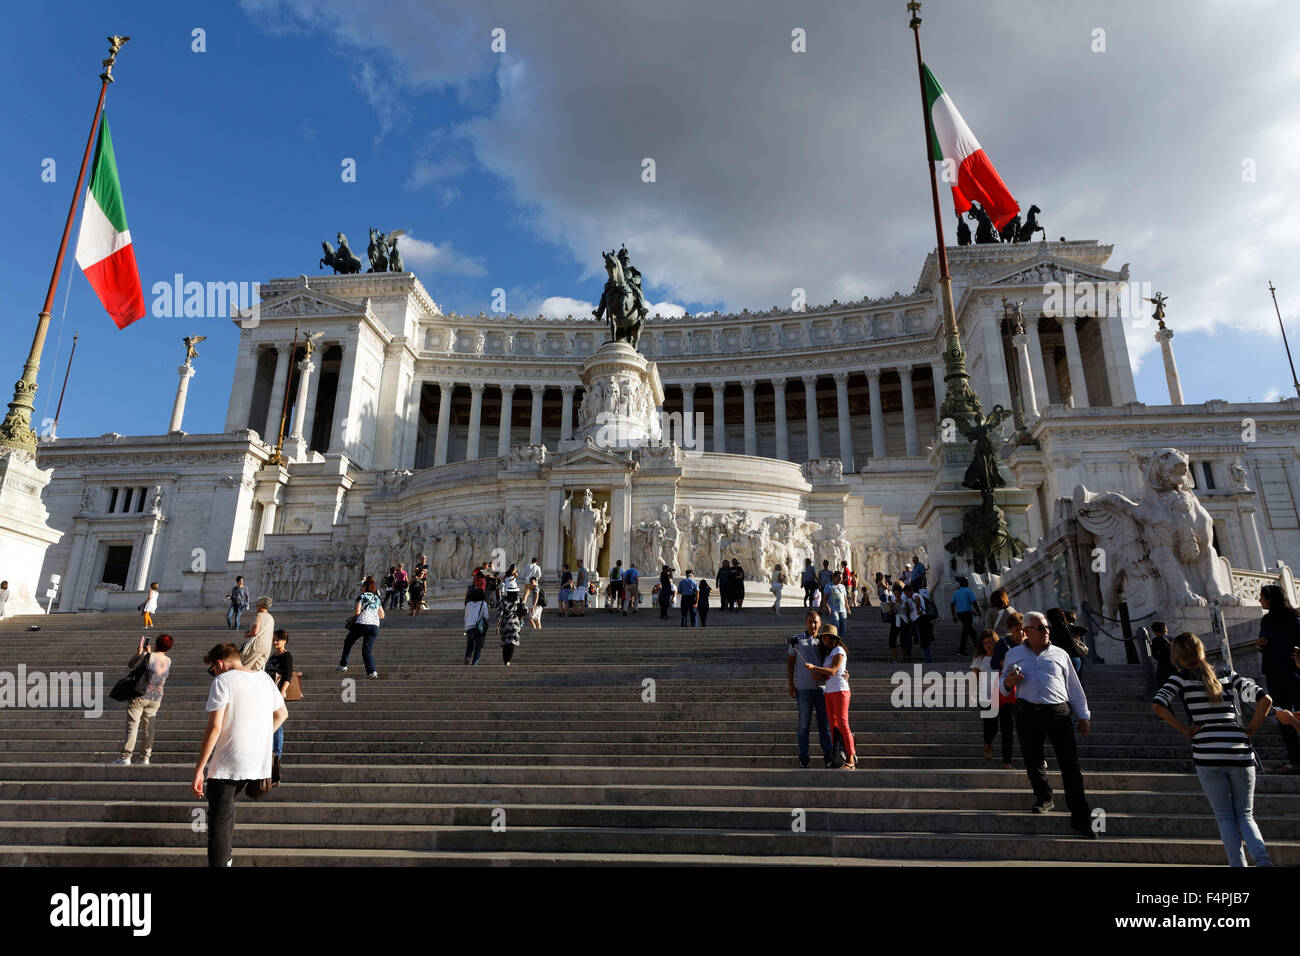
pixel 1048 693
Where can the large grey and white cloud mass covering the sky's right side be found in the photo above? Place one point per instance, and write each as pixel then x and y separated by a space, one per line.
pixel 779 171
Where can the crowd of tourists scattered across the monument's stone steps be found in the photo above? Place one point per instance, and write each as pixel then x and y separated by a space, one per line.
pixel 1028 669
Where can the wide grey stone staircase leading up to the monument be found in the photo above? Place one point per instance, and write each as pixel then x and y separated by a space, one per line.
pixel 571 758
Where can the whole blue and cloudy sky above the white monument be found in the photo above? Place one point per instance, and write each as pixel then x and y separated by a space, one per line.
pixel 513 170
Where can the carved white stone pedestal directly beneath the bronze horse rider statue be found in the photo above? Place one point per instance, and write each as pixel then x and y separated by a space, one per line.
pixel 622 399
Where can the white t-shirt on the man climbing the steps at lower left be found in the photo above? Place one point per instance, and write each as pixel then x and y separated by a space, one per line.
pixel 244 747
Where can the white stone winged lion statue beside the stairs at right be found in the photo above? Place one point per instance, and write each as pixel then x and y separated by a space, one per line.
pixel 1158 552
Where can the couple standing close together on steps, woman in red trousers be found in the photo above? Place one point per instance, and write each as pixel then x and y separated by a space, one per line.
pixel 818 678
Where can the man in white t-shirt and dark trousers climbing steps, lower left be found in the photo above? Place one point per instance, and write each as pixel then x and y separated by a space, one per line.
pixel 245 711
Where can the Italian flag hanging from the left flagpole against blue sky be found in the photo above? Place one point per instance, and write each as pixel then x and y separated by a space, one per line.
pixel 105 244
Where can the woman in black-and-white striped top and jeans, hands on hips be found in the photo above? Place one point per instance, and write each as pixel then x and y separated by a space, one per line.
pixel 1221 747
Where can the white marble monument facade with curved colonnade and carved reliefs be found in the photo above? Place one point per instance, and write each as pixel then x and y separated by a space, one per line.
pixel 798 434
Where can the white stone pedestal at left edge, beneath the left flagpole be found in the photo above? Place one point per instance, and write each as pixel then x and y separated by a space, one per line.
pixel 25 533
